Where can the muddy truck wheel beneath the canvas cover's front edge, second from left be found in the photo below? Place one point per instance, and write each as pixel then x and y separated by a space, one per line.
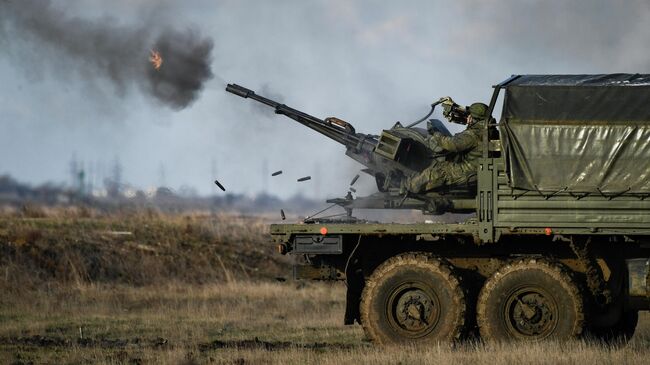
pixel 530 299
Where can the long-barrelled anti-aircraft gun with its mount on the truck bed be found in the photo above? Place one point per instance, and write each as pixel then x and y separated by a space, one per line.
pixel 390 157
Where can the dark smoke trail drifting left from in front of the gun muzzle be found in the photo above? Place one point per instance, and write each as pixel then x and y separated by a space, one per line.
pixel 113 51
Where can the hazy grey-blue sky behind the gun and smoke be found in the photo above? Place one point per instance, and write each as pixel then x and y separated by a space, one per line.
pixel 368 62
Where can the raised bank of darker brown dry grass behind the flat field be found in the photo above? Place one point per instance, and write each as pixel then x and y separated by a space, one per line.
pixel 67 247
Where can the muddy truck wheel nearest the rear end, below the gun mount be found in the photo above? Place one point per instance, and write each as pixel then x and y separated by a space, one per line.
pixel 413 298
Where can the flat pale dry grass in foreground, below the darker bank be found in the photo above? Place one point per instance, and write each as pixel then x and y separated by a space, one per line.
pixel 238 323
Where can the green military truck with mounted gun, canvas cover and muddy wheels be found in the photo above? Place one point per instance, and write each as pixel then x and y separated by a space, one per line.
pixel 558 245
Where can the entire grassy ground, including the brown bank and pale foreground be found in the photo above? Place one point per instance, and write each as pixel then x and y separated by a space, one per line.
pixel 172 290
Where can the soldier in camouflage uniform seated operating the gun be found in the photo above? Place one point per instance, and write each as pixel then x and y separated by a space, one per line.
pixel 465 149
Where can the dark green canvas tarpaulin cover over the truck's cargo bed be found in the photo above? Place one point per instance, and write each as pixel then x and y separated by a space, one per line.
pixel 579 133
